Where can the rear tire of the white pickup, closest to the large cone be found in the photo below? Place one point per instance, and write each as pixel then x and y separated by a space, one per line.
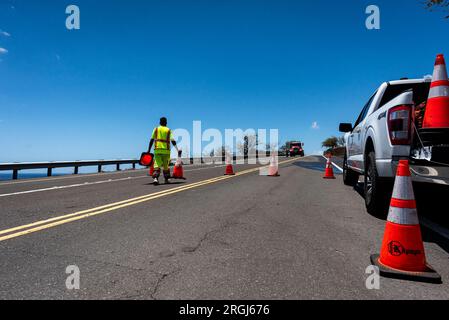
pixel 377 190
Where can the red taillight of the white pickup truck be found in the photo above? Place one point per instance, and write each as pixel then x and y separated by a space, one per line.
pixel 399 121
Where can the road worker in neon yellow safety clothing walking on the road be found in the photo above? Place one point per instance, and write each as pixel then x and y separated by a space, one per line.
pixel 161 138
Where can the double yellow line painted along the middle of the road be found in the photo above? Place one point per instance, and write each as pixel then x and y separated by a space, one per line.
pixel 57 221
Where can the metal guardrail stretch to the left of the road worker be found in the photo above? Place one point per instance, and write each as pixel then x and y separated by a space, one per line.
pixel 15 167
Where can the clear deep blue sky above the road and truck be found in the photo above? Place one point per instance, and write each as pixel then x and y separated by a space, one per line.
pixel 97 92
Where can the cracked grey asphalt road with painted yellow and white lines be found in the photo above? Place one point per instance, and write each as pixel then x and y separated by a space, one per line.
pixel 296 236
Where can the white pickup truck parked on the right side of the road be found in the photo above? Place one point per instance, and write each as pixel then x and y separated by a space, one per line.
pixel 389 129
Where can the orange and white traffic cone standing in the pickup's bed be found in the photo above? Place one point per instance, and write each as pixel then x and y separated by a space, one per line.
pixel 437 108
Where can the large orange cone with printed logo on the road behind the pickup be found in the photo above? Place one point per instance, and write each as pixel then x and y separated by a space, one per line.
pixel 402 254
